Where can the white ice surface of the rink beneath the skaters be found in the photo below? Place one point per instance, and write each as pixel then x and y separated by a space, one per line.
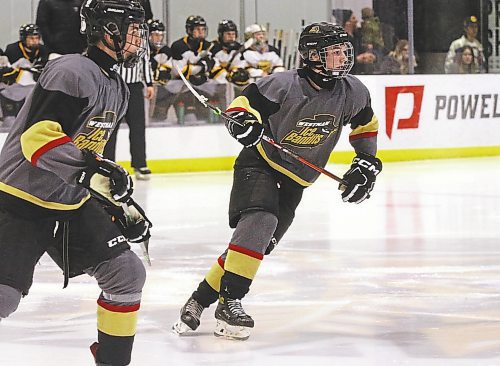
pixel 409 277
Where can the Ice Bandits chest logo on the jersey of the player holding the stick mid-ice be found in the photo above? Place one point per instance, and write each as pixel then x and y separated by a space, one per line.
pixel 311 132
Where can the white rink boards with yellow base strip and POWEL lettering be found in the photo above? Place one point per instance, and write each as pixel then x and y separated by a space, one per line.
pixel 420 117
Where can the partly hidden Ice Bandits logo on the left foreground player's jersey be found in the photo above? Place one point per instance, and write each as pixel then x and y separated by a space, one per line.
pixel 97 133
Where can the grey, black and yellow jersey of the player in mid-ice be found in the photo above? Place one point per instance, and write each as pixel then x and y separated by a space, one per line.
pixel 308 121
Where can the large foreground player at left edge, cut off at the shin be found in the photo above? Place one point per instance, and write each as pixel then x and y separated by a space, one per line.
pixel 49 160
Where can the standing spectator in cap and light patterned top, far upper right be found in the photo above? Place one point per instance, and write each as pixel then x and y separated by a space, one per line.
pixel 469 38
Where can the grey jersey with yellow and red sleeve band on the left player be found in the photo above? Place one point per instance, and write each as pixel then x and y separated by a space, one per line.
pixel 75 104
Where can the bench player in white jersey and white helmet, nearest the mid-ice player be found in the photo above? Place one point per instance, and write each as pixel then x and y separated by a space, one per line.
pixel 259 58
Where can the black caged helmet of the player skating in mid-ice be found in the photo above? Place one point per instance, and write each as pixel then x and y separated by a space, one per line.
pixel 316 40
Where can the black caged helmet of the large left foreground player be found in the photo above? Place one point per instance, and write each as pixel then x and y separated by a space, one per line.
pixel 113 17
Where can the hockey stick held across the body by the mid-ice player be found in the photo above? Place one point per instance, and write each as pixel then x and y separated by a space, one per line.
pixel 204 100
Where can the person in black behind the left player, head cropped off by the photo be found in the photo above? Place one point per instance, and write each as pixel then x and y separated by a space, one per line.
pixel 59 22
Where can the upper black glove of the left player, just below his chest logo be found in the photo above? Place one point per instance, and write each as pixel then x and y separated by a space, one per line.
pixel 120 182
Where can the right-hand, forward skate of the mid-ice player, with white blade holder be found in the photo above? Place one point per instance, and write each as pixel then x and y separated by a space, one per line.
pixel 232 321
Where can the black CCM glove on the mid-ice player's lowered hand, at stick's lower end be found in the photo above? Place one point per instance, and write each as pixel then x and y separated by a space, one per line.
pixel 360 178
